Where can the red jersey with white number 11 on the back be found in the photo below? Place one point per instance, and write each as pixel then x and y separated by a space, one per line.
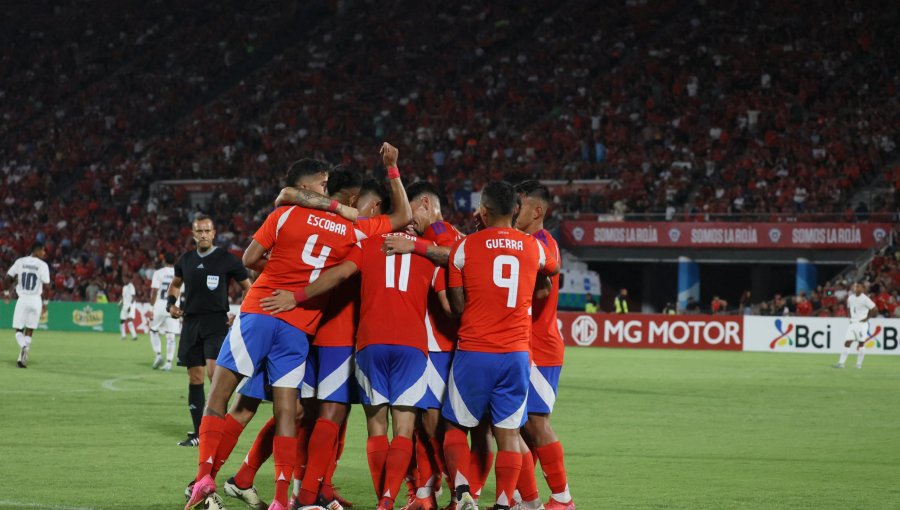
pixel 394 295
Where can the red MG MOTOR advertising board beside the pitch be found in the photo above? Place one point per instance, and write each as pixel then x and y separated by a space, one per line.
pixel 717 332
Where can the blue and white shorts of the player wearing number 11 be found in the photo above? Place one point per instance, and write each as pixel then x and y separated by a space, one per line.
pixel 391 374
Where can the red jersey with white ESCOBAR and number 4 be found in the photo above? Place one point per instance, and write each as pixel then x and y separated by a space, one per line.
pixel 301 244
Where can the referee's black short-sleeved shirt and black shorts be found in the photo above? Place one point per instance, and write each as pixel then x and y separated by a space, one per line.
pixel 205 324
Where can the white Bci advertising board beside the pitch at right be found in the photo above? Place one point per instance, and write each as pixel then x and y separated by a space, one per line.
pixel 816 335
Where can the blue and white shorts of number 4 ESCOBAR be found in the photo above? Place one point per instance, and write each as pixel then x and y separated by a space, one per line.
pixel 257 341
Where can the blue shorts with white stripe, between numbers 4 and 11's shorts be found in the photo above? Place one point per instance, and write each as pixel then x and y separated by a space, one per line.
pixel 330 375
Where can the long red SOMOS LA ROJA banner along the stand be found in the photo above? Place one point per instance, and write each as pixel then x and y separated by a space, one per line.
pixel 720 235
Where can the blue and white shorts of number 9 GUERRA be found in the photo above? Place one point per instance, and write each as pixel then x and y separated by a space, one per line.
pixel 484 381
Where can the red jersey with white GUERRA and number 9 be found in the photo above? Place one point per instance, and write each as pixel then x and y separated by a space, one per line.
pixel 497 267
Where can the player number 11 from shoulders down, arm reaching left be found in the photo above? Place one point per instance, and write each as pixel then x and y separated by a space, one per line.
pixel 391 353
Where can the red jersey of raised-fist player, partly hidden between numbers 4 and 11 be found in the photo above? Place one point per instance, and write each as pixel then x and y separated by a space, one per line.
pixel 341 315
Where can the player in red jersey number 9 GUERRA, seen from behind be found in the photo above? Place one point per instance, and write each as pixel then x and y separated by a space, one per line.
pixel 493 274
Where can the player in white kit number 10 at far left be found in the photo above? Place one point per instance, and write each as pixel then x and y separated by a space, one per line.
pixel 32 277
